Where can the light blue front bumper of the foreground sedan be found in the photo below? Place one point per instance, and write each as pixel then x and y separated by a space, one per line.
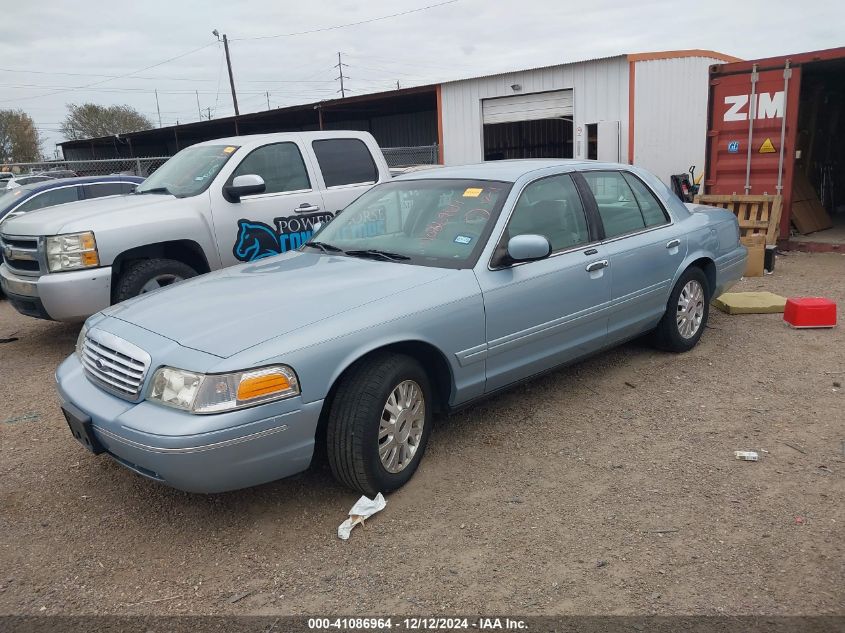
pixel 246 448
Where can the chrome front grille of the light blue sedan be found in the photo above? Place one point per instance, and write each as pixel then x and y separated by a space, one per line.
pixel 114 364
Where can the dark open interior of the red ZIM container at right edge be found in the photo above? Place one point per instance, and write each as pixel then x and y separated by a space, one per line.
pixel 818 189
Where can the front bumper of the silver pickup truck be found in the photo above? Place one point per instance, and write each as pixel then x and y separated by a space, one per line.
pixel 68 296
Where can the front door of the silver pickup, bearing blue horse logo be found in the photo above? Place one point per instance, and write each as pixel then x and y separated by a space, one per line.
pixel 275 221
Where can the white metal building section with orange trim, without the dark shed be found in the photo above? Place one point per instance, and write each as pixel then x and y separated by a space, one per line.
pixel 648 108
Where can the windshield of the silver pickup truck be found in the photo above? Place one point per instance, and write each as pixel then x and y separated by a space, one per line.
pixel 189 172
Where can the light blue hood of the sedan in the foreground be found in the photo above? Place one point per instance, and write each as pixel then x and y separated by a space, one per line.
pixel 236 308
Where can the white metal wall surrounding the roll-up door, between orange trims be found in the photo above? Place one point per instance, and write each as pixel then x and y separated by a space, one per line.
pixel 600 93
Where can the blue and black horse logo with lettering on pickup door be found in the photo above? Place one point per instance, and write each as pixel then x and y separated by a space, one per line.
pixel 257 240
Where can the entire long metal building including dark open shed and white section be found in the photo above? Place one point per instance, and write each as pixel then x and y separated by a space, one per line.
pixel 647 108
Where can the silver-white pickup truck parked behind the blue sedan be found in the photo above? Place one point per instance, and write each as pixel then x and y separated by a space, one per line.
pixel 212 205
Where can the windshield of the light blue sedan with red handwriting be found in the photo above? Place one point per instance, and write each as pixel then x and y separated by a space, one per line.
pixel 428 222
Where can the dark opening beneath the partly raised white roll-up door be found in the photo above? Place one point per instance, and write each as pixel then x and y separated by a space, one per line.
pixel 540 138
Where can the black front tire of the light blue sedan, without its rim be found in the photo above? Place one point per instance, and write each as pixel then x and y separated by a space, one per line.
pixel 353 428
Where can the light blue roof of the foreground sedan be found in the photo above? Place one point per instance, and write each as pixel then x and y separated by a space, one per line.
pixel 508 170
